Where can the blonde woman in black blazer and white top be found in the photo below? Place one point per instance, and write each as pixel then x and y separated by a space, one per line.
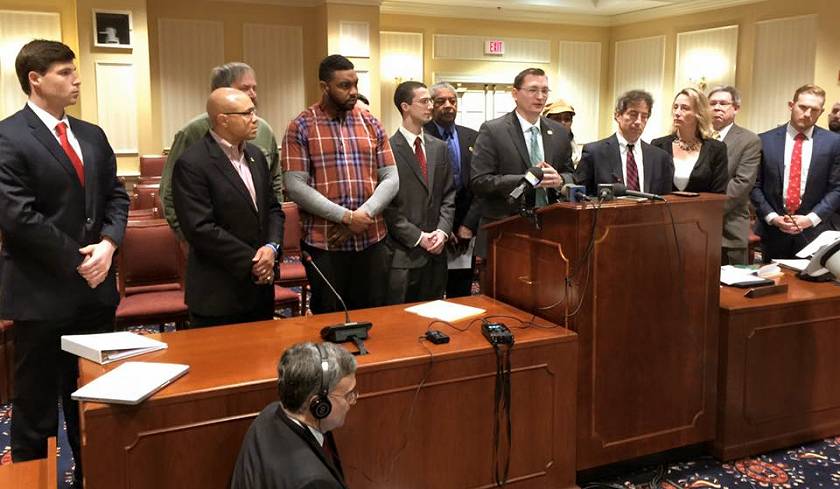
pixel 700 162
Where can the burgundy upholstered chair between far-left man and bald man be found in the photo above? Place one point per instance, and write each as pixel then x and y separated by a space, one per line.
pixel 151 275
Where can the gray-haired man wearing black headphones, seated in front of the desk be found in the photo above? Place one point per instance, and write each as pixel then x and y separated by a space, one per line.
pixel 289 445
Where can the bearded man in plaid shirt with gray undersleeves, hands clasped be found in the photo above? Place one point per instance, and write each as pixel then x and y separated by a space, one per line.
pixel 339 169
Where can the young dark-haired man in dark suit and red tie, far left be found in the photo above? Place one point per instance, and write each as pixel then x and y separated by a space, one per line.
pixel 62 216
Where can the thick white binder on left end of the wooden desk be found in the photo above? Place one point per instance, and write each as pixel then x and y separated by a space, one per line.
pixel 109 347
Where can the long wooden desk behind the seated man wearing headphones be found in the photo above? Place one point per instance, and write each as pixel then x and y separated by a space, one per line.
pixel 189 434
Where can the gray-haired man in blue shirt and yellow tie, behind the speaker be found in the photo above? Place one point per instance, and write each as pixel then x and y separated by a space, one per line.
pixel 459 142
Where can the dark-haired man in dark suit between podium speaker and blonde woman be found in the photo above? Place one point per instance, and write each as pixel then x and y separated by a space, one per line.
pixel 624 157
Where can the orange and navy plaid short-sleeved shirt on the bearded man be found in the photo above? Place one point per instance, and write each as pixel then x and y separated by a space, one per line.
pixel 342 157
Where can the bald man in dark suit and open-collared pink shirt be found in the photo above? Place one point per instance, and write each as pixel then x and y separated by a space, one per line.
pixel 230 217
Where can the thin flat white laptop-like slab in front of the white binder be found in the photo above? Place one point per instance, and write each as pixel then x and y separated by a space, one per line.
pixel 130 383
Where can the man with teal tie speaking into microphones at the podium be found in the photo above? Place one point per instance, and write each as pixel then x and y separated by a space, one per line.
pixel 507 146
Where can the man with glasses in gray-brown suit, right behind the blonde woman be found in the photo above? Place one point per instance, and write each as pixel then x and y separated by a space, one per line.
pixel 744 151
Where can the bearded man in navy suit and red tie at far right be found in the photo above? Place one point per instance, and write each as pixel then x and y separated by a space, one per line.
pixel 798 186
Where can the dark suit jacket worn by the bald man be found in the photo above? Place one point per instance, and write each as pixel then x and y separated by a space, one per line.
pixel 223 228
